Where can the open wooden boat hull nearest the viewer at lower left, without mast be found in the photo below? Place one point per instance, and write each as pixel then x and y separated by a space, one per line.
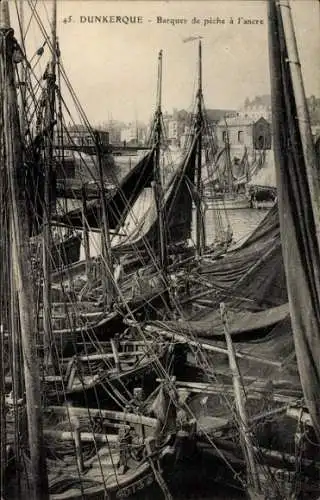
pixel 148 462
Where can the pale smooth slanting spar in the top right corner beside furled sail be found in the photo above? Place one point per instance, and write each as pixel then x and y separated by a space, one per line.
pixel 303 117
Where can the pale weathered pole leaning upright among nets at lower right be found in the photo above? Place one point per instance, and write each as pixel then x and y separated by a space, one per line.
pixel 243 418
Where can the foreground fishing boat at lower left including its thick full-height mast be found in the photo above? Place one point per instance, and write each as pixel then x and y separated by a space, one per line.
pixel 58 452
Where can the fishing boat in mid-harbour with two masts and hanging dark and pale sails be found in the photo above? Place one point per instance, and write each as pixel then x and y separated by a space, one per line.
pixel 159 235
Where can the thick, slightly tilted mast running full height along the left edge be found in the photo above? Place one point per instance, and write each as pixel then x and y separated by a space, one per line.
pixel 22 261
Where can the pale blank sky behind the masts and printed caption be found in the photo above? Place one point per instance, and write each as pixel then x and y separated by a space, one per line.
pixel 113 66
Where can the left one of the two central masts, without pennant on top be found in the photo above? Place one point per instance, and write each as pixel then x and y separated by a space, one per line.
pixel 157 176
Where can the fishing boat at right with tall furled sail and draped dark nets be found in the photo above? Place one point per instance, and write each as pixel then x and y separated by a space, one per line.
pixel 267 355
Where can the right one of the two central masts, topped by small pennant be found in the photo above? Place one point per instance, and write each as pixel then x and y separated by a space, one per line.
pixel 200 236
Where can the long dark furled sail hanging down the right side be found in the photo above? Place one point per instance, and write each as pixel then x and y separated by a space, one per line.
pixel 298 215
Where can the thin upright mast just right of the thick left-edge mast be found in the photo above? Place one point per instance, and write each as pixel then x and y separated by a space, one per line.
pixel 48 170
